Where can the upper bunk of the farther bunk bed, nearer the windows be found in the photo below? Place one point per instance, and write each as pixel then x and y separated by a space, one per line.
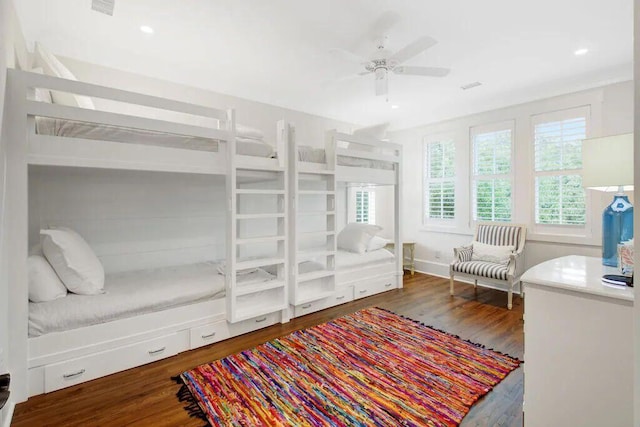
pixel 352 158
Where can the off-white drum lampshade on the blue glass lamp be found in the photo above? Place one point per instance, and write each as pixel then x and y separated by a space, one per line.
pixel 607 162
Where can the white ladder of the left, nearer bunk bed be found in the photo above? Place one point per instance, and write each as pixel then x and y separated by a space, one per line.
pixel 257 223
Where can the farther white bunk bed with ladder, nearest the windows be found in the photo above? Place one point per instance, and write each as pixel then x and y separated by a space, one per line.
pixel 334 276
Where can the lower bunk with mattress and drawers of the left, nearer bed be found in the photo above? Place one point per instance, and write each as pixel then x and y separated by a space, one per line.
pixel 143 316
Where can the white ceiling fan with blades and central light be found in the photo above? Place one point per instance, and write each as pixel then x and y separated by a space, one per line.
pixel 383 61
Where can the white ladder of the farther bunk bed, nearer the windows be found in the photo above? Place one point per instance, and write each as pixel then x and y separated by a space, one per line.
pixel 312 233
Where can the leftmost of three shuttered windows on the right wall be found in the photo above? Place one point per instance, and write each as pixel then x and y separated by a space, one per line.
pixel 439 180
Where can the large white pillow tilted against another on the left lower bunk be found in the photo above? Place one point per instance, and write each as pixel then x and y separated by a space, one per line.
pixel 73 260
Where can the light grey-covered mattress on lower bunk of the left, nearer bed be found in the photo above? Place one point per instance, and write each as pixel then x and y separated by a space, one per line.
pixel 129 294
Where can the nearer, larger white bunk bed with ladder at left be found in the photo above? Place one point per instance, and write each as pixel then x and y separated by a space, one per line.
pixel 230 306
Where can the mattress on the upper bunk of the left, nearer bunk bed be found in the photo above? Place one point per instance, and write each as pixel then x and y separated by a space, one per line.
pixel 246 144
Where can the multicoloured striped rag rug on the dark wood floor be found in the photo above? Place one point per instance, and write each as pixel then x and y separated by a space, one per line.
pixel 370 368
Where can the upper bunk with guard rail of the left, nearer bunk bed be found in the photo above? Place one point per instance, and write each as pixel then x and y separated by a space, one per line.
pixel 188 138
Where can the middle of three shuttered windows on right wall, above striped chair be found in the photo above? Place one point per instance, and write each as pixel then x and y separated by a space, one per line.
pixel 492 172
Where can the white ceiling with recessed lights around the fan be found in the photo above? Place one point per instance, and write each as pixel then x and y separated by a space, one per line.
pixel 280 51
